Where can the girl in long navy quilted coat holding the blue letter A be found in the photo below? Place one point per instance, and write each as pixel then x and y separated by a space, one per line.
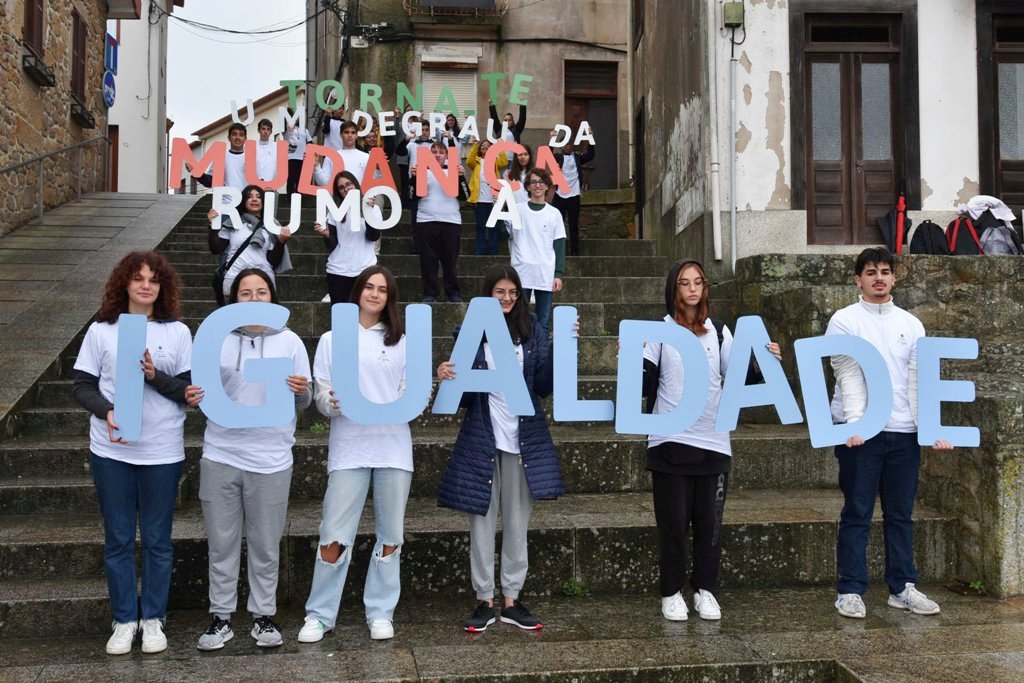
pixel 501 461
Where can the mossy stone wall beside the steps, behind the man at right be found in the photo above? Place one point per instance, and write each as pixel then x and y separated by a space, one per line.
pixel 979 297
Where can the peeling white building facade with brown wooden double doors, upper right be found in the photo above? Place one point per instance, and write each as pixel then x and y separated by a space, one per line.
pixel 839 105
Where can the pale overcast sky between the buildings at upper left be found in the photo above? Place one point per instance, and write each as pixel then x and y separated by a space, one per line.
pixel 207 70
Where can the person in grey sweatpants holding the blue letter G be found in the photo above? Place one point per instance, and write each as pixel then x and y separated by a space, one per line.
pixel 246 474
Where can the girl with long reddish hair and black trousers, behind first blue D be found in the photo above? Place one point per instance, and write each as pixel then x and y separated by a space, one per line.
pixel 691 469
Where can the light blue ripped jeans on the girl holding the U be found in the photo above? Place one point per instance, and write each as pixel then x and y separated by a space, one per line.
pixel 344 503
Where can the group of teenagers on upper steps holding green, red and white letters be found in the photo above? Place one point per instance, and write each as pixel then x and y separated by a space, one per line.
pixel 538 250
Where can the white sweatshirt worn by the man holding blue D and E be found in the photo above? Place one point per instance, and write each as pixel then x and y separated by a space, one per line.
pixel 894 333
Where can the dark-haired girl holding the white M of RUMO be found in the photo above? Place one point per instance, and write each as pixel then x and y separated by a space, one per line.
pixel 351 252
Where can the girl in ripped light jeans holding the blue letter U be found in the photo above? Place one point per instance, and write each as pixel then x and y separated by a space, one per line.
pixel 358 456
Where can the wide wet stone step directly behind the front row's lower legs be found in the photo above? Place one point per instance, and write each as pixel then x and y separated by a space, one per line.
pixel 607 543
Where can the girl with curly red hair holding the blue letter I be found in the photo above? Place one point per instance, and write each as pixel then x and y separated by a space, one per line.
pixel 138 480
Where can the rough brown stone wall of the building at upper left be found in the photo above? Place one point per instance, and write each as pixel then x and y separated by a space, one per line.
pixel 37 120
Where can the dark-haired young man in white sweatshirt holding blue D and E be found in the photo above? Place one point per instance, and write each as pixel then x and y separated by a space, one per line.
pixel 886 464
